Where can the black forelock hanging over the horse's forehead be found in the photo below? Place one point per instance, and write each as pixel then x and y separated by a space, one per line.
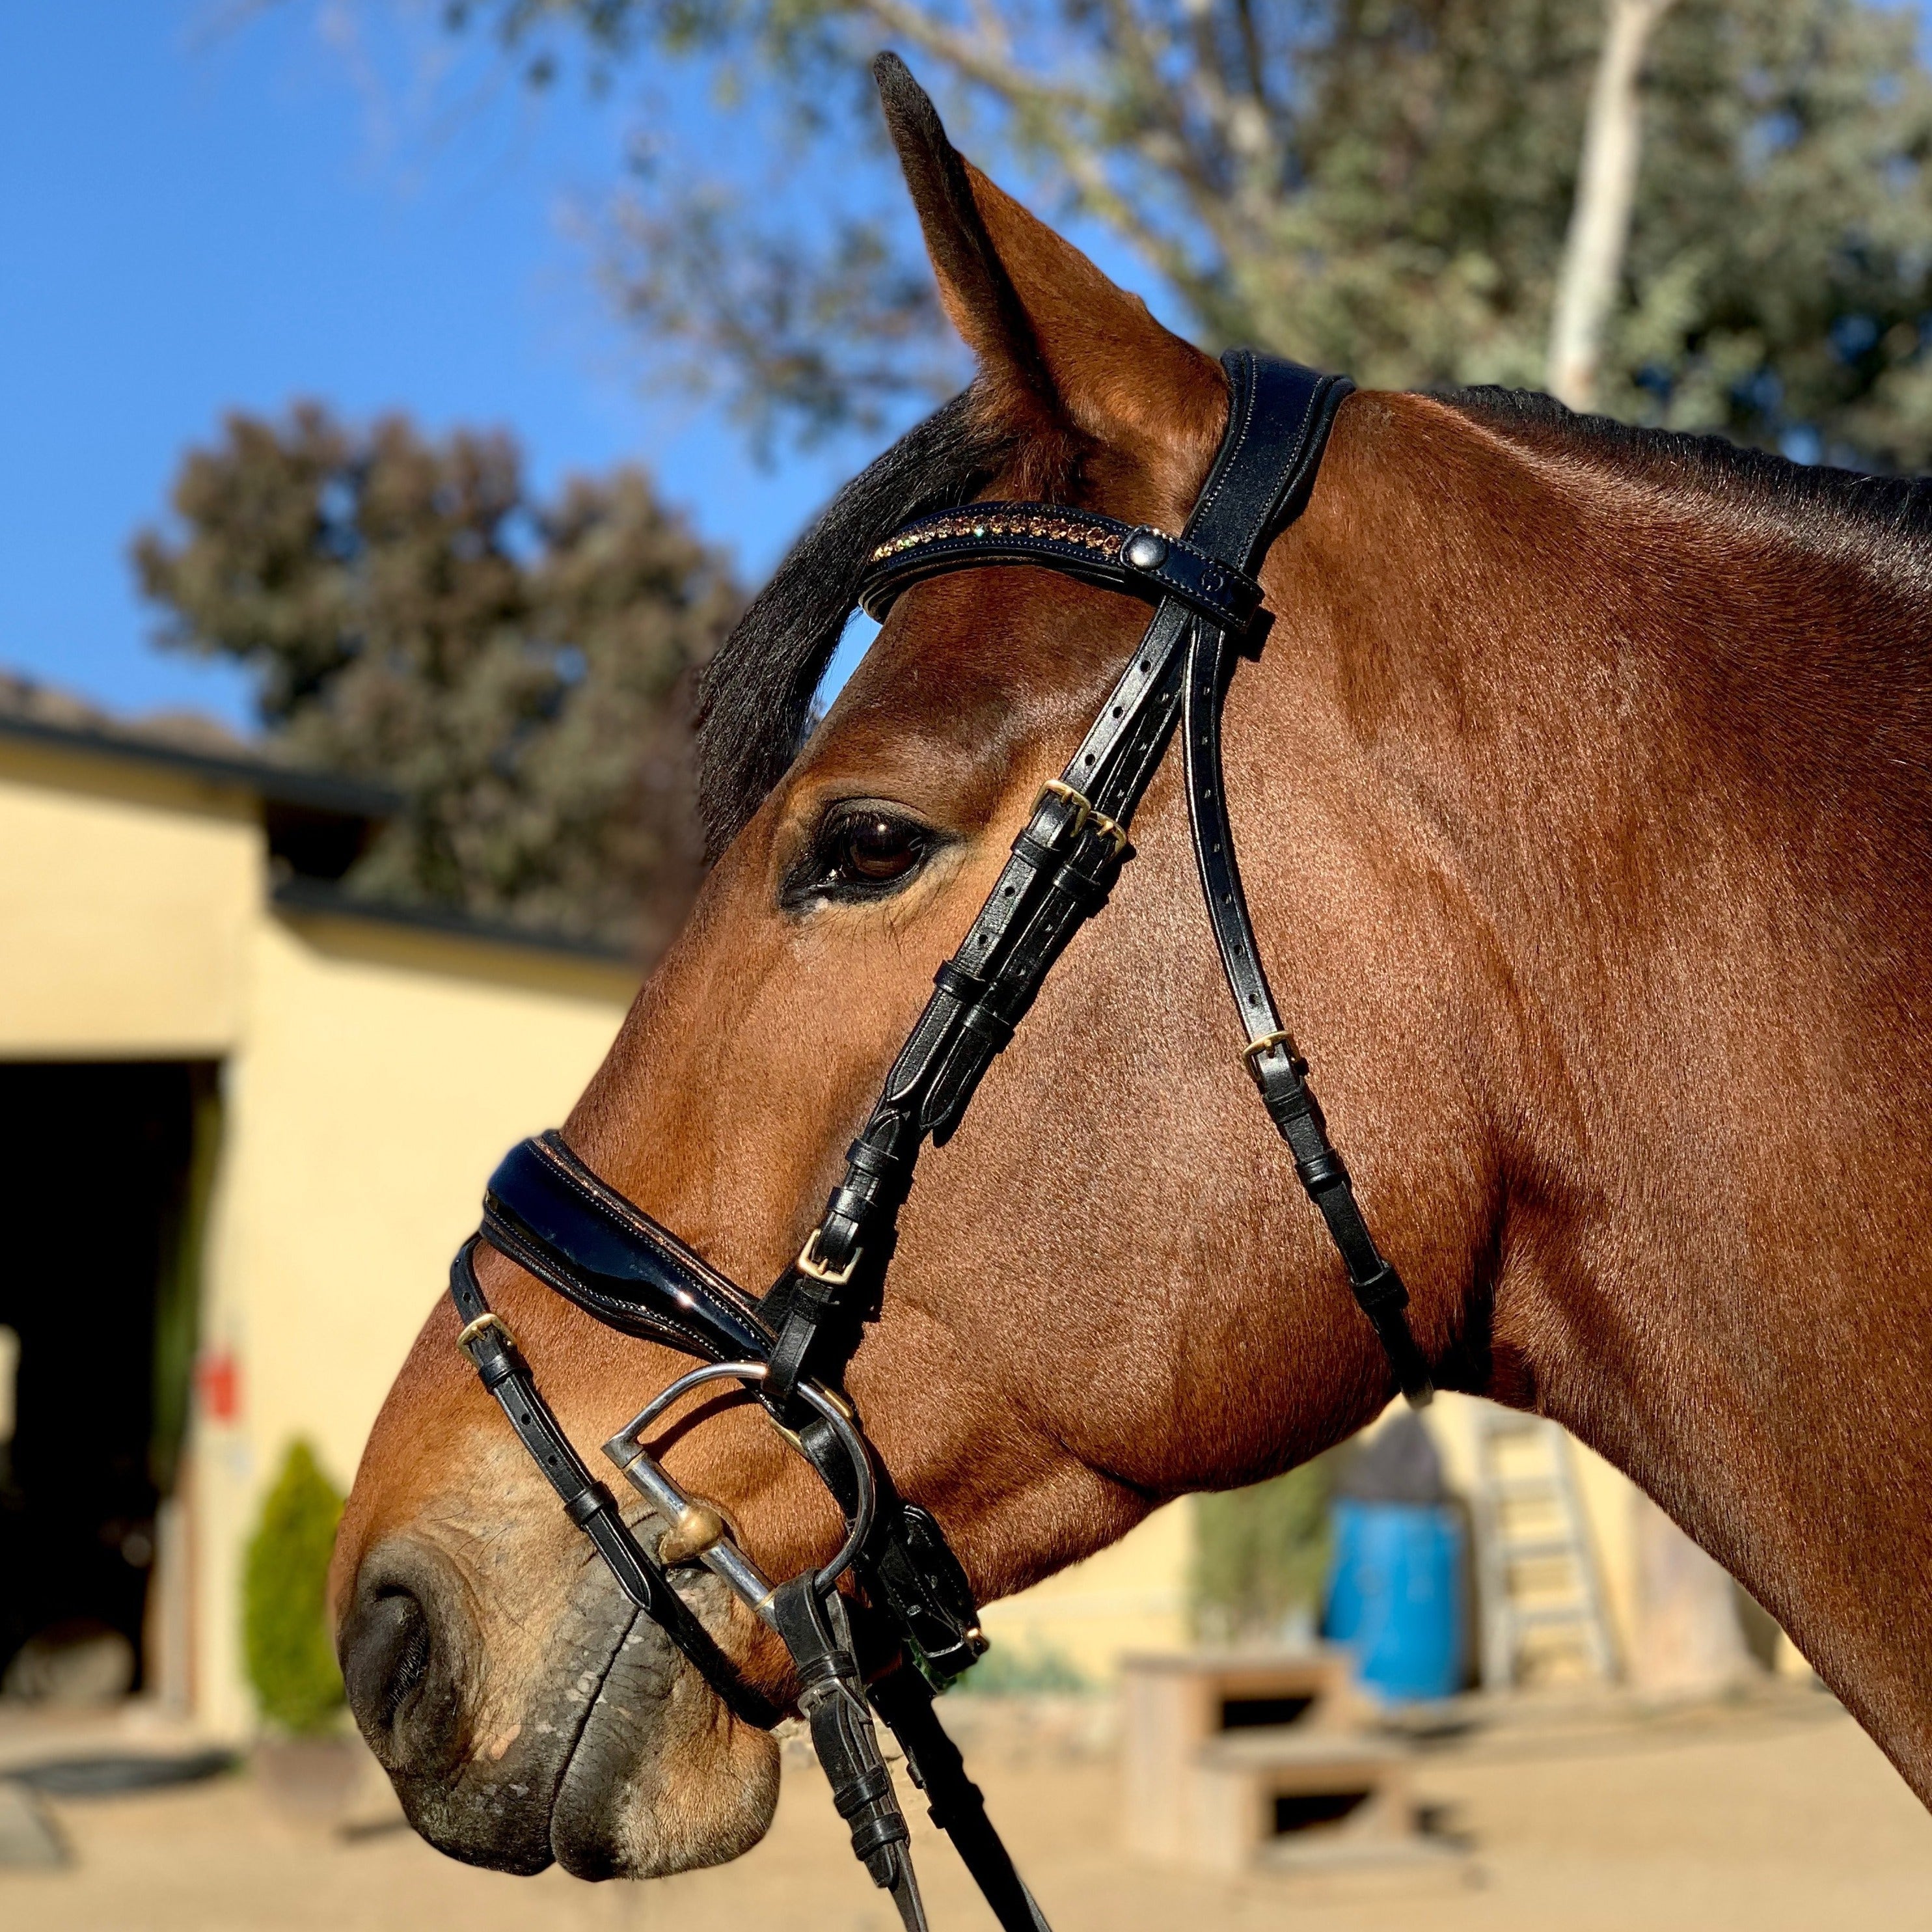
pixel 756 693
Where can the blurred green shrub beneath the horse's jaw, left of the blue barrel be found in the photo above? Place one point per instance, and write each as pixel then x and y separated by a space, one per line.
pixel 1261 1556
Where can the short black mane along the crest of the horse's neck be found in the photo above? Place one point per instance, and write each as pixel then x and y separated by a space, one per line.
pixel 1815 501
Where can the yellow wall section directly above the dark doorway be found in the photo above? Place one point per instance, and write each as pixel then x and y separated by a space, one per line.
pixel 125 907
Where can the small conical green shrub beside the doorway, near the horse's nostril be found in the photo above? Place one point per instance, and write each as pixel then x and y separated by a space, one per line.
pixel 285 1620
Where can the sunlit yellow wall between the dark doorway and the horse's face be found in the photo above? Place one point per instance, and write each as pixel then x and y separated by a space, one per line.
pixel 380 1079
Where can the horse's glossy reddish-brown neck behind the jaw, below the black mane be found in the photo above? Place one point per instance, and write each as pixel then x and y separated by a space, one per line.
pixel 1645 749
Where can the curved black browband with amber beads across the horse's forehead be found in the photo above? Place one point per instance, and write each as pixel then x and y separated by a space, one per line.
pixel 1100 550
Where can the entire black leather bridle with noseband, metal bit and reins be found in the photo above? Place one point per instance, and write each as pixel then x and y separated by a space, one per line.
pixel 909 1624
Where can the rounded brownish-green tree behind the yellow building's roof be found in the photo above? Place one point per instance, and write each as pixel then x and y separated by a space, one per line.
pixel 519 671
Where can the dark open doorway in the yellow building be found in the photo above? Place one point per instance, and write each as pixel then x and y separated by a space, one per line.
pixel 103 1183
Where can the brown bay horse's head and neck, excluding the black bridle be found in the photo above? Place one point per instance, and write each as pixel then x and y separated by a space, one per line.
pixel 1585 789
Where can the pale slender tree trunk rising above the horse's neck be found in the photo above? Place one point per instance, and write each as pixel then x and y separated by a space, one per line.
pixel 1601 219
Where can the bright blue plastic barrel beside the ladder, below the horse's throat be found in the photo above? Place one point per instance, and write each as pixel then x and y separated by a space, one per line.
pixel 1396 1597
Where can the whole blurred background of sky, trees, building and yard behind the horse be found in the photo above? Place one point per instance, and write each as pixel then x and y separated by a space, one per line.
pixel 403 399
